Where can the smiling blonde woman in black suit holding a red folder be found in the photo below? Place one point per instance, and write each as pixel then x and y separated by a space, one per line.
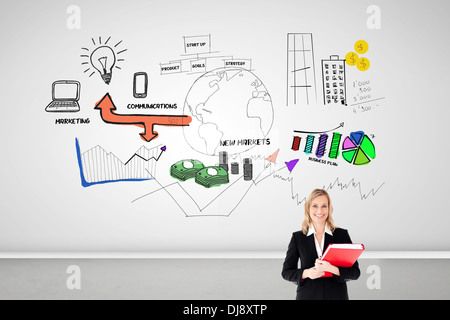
pixel 318 231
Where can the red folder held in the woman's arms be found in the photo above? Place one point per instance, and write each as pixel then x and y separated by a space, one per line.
pixel 342 255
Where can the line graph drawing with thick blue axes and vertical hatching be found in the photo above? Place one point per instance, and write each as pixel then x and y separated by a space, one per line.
pixel 99 167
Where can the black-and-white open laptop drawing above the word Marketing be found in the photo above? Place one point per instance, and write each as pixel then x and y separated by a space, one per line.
pixel 65 95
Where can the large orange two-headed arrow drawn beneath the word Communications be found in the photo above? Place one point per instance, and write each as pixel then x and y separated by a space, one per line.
pixel 107 107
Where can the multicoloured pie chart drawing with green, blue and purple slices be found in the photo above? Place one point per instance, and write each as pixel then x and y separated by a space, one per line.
pixel 358 149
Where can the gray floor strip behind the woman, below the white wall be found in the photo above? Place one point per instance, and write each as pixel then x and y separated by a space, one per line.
pixel 240 279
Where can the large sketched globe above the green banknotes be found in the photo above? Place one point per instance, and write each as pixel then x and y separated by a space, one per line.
pixel 231 111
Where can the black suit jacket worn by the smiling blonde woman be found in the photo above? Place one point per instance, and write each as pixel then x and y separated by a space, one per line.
pixel 302 247
